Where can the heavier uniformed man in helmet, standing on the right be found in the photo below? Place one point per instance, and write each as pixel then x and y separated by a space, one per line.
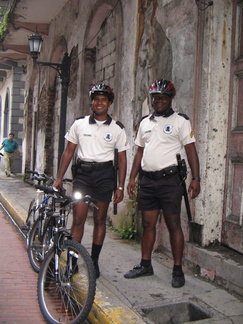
pixel 160 137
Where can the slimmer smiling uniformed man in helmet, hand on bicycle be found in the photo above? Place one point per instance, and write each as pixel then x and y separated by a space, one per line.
pixel 94 139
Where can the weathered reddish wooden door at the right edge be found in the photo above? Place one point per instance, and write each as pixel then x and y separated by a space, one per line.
pixel 232 230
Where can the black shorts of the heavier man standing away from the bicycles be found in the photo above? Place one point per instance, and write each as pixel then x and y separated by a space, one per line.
pixel 165 194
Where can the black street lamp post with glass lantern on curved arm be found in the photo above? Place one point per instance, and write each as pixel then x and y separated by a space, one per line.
pixel 63 69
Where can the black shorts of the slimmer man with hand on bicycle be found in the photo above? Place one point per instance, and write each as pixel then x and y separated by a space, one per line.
pixel 99 184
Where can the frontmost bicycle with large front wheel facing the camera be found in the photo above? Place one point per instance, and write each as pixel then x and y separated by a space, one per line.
pixel 66 281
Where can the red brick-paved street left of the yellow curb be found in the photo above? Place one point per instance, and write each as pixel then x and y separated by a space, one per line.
pixel 18 298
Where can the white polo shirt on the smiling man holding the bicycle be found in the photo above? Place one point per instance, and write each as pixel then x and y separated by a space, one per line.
pixel 96 142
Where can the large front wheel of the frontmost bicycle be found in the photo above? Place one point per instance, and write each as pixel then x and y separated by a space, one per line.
pixel 69 300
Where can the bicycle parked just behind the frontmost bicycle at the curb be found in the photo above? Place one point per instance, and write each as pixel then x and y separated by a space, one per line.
pixel 39 239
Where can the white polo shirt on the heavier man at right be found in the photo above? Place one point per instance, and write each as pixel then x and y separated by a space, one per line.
pixel 162 138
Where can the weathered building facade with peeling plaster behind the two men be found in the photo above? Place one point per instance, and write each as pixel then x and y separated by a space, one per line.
pixel 129 44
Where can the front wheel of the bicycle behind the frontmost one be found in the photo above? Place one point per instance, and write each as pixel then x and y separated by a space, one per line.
pixel 38 245
